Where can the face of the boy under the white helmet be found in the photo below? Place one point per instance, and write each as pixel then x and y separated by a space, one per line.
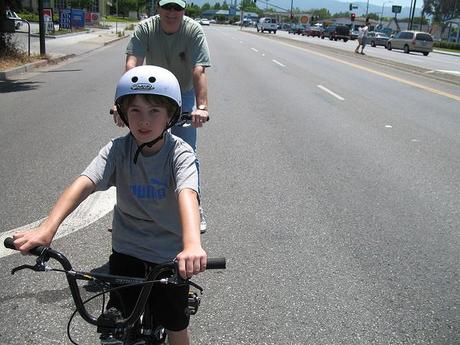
pixel 147 120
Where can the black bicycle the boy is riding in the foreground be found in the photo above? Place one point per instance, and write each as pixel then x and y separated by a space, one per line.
pixel 112 326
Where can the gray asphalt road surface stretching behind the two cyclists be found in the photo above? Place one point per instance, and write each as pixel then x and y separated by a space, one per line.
pixel 330 183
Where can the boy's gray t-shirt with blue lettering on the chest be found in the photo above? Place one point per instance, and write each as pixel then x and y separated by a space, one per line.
pixel 146 221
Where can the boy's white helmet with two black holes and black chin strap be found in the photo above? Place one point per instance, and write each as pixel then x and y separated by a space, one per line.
pixel 149 80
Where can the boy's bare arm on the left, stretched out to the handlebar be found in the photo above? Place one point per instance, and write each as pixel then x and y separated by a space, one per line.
pixel 78 191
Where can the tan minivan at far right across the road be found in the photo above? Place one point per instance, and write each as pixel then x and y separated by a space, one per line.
pixel 411 41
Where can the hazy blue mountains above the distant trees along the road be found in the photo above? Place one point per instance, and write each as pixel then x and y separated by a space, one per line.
pixel 332 5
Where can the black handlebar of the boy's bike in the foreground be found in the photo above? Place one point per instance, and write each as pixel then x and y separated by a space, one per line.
pixel 45 253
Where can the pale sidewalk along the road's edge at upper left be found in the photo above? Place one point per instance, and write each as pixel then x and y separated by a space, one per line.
pixel 65 47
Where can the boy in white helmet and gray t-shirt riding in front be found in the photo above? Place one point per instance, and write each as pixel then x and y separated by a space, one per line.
pixel 156 217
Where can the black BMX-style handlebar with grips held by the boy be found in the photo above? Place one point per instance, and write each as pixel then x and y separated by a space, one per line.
pixel 45 253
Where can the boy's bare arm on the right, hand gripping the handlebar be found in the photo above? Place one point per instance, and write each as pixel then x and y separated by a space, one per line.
pixel 192 259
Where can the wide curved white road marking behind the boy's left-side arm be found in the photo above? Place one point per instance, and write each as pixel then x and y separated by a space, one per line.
pixel 93 208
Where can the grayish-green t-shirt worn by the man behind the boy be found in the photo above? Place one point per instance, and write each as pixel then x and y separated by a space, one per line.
pixel 178 52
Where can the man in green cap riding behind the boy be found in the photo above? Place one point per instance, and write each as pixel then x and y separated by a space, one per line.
pixel 177 43
